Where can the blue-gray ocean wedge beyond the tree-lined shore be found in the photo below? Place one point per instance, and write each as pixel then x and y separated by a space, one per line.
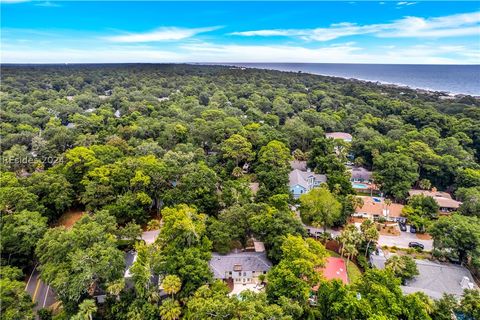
pixel 455 79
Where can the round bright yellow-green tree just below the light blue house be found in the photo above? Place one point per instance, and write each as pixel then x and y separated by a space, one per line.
pixel 319 208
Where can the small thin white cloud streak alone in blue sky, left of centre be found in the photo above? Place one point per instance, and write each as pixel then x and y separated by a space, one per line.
pixel 160 34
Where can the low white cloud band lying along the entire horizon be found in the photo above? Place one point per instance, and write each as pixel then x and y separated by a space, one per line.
pixel 211 52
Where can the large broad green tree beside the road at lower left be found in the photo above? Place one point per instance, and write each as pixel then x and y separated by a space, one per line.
pixel 78 260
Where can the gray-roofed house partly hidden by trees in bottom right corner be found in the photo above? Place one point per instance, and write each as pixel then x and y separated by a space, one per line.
pixel 434 279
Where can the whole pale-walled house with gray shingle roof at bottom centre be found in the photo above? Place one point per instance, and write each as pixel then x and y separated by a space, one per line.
pixel 240 269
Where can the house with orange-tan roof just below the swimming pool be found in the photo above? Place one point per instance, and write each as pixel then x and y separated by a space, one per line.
pixel 376 207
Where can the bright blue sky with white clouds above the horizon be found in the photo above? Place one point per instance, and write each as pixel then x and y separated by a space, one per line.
pixel 406 32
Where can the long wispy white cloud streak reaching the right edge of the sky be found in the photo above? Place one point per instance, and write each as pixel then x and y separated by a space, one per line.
pixel 466 24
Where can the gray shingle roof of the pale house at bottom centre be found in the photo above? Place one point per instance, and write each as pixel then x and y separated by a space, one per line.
pixel 249 261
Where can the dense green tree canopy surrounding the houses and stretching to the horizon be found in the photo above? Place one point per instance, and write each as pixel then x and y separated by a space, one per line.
pixel 205 152
